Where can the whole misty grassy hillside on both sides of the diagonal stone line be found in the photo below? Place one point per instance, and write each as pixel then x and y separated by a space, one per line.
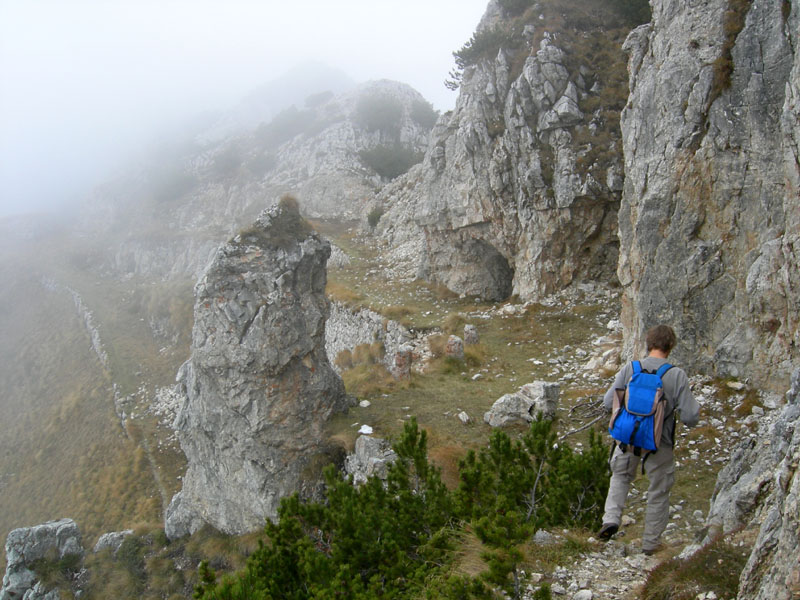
pixel 63 451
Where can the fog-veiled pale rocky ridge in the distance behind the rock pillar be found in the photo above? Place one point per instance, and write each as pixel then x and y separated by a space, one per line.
pixel 333 151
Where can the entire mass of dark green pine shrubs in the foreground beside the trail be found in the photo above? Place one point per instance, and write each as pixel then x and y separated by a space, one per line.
pixel 394 538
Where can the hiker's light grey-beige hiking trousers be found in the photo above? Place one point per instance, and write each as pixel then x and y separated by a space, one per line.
pixel 660 470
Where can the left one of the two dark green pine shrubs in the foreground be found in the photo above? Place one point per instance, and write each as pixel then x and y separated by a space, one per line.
pixel 376 540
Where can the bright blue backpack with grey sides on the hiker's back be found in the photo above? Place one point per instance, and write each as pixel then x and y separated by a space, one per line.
pixel 637 416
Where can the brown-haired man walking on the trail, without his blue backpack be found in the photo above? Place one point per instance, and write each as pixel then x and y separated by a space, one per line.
pixel 660 465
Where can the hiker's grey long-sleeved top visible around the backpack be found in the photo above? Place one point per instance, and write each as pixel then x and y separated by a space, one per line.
pixel 676 390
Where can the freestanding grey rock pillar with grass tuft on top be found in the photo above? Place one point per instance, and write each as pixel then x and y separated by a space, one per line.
pixel 258 387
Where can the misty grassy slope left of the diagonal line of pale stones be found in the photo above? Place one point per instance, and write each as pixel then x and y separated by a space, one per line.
pixel 62 450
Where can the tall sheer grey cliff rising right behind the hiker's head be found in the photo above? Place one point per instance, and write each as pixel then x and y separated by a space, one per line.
pixel 710 218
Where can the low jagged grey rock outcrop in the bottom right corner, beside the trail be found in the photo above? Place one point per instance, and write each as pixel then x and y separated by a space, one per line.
pixel 760 488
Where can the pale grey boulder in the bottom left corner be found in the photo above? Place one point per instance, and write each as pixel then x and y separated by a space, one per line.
pixel 53 540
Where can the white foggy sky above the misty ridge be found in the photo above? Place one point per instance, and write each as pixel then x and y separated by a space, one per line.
pixel 86 85
